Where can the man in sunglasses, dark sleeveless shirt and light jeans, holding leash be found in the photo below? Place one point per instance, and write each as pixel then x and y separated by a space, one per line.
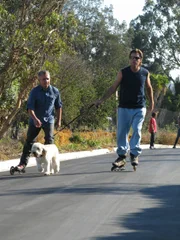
pixel 132 82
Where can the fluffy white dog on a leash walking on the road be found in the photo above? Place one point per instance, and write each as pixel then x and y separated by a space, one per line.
pixel 47 158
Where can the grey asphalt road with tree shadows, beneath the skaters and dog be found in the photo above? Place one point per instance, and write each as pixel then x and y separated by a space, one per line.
pixel 87 201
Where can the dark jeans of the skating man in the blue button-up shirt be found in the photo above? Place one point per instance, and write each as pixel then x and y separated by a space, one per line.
pixel 32 133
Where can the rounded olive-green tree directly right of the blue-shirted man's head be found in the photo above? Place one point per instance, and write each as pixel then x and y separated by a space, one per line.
pixel 74 79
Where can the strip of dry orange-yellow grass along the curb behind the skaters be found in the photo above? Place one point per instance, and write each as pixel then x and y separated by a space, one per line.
pixel 67 141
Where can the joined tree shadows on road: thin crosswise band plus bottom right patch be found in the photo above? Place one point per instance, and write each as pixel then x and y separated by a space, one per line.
pixel 158 223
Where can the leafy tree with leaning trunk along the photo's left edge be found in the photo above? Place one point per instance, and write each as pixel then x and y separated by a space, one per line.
pixel 28 33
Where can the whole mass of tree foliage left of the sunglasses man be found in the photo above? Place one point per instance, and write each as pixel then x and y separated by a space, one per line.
pixel 82 46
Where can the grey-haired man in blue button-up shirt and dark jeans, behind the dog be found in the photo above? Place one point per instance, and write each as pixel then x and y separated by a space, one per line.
pixel 42 101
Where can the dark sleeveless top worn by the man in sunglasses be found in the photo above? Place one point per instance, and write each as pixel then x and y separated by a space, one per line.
pixel 132 88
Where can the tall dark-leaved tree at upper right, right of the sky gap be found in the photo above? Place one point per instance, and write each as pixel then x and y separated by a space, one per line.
pixel 157 33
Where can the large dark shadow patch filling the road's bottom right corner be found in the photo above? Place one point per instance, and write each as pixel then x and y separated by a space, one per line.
pixel 159 223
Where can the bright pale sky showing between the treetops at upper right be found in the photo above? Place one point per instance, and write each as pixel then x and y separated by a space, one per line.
pixel 126 10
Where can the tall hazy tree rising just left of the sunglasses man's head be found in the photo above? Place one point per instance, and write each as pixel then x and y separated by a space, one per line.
pixel 104 43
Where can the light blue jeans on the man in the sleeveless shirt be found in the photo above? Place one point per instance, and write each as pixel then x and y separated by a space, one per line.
pixel 128 118
